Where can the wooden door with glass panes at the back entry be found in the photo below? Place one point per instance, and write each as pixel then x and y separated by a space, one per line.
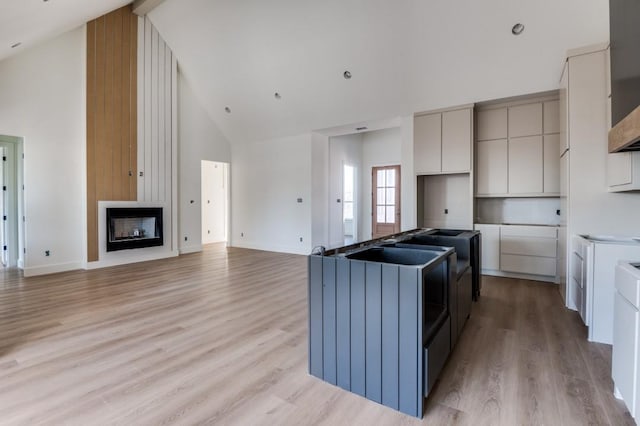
pixel 385 212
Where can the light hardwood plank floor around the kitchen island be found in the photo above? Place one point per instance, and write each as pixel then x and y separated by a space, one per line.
pixel 220 337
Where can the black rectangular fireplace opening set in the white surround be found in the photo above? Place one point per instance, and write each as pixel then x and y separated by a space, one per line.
pixel 134 227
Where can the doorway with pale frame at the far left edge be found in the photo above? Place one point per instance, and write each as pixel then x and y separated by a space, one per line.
pixel 11 202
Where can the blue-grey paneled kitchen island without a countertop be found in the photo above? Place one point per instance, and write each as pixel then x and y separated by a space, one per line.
pixel 381 314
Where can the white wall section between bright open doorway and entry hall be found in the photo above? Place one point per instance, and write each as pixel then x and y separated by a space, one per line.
pixel 267 178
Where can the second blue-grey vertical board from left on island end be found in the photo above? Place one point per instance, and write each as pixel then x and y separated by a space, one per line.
pixel 329 319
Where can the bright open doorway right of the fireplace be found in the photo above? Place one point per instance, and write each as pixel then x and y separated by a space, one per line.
pixel 215 201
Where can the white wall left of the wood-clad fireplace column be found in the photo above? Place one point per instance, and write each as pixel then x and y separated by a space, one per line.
pixel 43 100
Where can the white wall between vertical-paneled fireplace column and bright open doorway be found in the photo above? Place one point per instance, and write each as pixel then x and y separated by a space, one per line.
pixel 198 139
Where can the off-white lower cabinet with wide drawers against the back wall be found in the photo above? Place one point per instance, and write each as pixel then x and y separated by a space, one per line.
pixel 523 250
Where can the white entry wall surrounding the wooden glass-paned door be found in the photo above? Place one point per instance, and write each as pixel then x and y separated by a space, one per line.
pixel 379 148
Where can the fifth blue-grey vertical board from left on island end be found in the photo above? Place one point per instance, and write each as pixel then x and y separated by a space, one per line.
pixel 373 331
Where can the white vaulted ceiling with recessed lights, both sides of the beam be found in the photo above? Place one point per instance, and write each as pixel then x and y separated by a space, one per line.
pixel 405 56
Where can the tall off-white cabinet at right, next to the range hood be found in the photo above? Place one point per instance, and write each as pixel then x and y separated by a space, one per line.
pixel 583 153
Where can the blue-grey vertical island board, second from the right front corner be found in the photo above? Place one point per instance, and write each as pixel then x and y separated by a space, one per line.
pixel 390 328
